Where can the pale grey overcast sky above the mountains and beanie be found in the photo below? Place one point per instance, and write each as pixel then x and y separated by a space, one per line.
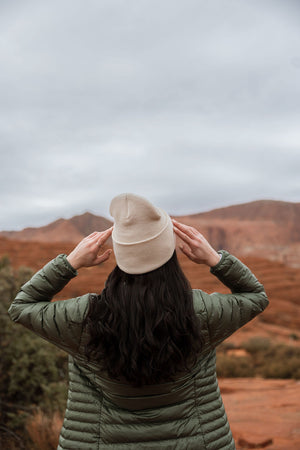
pixel 193 104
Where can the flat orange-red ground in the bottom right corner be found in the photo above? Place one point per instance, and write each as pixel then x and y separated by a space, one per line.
pixel 263 413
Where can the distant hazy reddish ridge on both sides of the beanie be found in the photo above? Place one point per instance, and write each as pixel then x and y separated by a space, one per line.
pixel 264 228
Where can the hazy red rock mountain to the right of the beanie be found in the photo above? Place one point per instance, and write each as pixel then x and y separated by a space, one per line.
pixel 267 228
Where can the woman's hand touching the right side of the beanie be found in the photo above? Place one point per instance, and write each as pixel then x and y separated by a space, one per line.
pixel 195 246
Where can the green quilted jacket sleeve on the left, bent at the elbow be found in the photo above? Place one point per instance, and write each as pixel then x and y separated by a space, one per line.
pixel 59 322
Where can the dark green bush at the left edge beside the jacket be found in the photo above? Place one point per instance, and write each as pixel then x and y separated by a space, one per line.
pixel 32 371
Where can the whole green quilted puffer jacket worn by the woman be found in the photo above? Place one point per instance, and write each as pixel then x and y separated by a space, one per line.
pixel 106 414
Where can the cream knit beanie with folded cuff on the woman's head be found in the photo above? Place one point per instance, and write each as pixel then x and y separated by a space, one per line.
pixel 143 237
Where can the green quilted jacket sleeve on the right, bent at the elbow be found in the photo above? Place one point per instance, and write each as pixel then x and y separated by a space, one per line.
pixel 225 313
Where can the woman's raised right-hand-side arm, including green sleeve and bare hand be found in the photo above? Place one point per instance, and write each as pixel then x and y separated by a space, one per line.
pixel 224 313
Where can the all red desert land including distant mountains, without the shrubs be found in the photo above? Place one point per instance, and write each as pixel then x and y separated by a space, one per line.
pixel 265 235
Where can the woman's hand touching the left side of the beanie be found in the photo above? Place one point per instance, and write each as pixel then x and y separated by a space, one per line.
pixel 86 253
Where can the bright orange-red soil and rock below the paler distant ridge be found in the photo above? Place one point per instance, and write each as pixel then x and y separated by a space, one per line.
pixel 262 413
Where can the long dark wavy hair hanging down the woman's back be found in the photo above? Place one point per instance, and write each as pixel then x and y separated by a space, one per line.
pixel 143 327
